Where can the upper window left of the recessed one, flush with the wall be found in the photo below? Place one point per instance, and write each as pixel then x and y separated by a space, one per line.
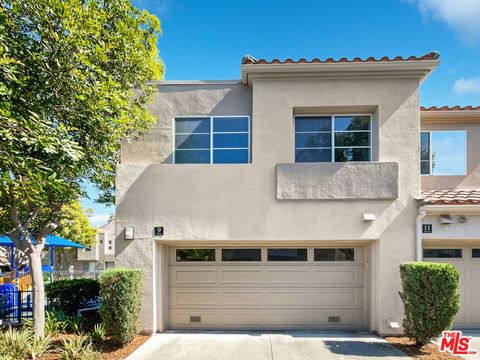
pixel 212 140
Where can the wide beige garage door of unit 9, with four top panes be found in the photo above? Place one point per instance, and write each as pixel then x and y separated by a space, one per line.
pixel 266 288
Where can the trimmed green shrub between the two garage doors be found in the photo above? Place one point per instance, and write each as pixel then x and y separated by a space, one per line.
pixel 431 299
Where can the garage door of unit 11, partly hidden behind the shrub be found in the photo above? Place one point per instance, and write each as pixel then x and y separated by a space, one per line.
pixel 467 261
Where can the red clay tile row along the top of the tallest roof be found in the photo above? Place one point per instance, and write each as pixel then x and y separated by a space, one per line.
pixel 247 59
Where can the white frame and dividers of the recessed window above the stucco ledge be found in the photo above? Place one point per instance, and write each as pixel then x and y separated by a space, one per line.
pixel 332 136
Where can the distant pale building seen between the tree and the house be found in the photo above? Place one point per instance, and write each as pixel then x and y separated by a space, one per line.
pixel 101 255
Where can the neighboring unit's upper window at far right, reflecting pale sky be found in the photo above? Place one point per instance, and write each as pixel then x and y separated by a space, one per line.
pixel 443 153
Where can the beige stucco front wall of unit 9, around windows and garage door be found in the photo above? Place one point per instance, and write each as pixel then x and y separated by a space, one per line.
pixel 198 203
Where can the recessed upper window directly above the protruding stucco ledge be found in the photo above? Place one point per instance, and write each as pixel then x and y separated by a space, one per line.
pixel 333 138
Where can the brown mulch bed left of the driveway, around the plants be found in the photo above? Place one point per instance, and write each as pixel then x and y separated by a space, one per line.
pixel 108 351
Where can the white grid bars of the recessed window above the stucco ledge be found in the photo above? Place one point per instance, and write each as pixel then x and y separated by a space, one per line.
pixel 332 133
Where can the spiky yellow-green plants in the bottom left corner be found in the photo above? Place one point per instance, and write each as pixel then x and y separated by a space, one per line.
pixel 22 344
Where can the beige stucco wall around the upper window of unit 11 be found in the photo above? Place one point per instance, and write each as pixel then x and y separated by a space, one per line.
pixel 472 180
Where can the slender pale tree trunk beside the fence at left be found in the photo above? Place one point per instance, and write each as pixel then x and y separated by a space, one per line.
pixel 35 258
